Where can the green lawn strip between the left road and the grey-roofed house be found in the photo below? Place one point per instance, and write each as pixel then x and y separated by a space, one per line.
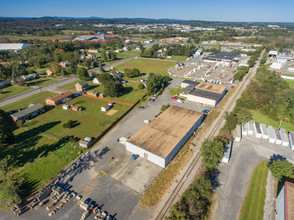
pixel 23 103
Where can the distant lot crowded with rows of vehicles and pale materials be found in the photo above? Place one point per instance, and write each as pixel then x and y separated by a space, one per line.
pixel 195 68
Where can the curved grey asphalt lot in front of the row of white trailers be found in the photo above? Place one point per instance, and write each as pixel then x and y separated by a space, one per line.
pixel 233 179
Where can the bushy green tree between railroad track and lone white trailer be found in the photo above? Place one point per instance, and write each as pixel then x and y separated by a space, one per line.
pixel 212 150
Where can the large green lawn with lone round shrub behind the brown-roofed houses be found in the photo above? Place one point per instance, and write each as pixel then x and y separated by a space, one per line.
pixel 88 123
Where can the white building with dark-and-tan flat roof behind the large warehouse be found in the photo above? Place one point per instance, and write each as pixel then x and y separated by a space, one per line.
pixel 205 93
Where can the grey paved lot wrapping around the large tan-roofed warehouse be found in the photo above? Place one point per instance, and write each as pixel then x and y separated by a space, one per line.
pixel 107 174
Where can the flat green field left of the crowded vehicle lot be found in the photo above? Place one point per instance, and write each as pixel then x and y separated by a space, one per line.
pixel 147 66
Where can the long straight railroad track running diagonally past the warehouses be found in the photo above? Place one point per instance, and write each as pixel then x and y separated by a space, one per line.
pixel 214 129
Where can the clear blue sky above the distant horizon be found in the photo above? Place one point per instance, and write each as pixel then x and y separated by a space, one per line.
pixel 211 10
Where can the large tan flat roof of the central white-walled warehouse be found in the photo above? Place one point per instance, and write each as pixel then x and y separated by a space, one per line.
pixel 162 134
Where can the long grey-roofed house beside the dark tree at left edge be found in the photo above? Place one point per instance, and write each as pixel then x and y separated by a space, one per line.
pixel 32 111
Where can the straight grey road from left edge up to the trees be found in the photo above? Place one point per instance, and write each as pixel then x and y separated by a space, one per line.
pixel 49 87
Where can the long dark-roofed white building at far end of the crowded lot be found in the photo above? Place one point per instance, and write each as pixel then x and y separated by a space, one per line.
pixel 225 57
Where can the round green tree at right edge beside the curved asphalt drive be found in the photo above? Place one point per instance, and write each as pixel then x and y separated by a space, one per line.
pixel 280 168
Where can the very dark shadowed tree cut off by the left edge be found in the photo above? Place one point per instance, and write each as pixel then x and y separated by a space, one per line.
pixel 6 129
